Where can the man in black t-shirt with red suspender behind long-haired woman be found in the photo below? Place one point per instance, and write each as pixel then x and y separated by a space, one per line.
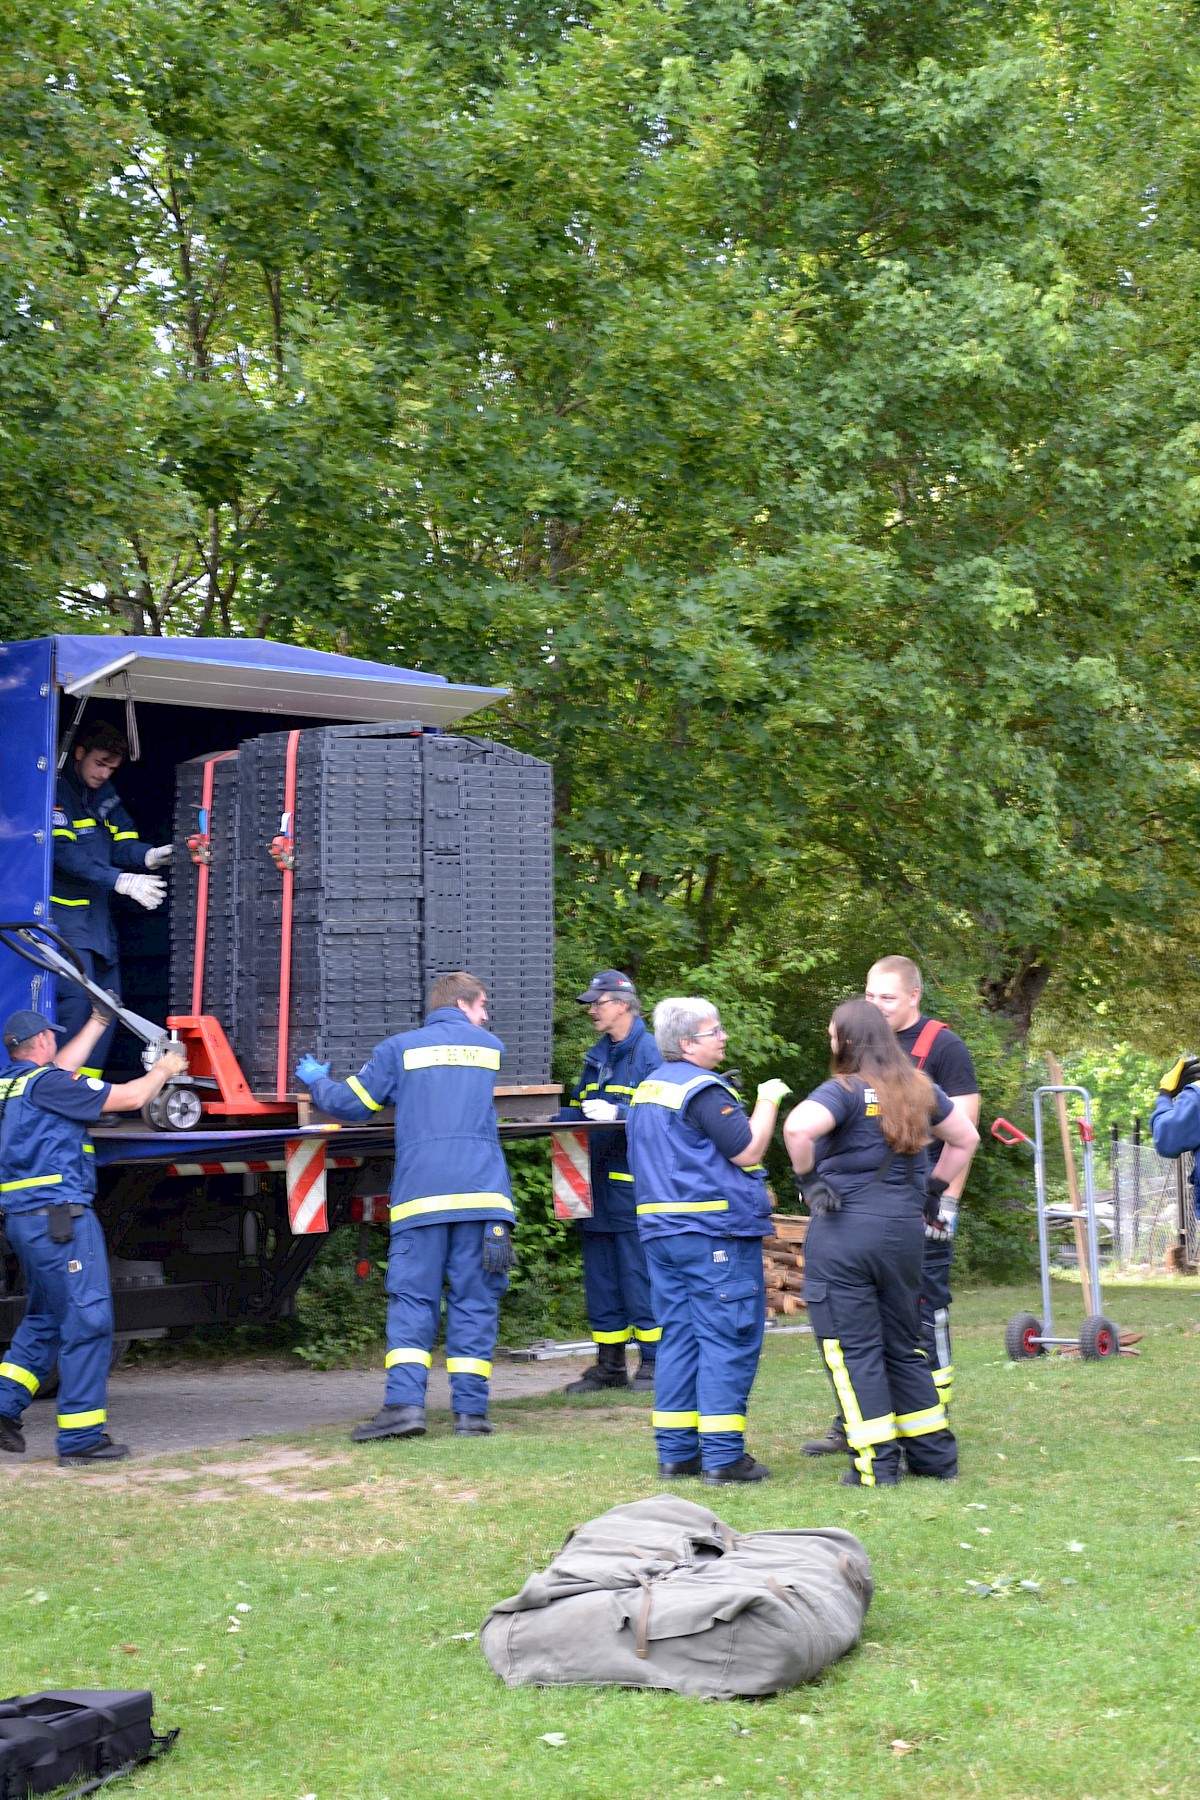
pixel 895 987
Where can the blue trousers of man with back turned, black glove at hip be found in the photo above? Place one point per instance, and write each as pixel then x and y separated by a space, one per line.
pixel 422 1263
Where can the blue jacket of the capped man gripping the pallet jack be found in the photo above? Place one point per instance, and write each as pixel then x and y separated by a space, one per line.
pixel 48 1156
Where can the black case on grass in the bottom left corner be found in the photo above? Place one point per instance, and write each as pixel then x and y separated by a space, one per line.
pixel 55 1738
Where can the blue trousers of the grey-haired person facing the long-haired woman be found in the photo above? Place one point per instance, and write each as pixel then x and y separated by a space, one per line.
pixel 712 1302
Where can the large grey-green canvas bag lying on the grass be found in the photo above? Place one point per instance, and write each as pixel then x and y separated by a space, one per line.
pixel 663 1594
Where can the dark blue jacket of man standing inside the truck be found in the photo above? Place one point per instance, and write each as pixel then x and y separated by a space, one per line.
pixel 94 843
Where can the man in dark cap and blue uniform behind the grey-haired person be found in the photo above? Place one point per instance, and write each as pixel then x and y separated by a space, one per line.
pixel 616 1282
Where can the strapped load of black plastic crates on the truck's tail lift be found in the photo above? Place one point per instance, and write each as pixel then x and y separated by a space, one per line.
pixel 415 856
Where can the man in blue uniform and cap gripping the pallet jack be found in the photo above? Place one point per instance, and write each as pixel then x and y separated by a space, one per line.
pixel 48 1192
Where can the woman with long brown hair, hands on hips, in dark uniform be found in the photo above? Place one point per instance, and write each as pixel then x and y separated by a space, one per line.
pixel 859 1149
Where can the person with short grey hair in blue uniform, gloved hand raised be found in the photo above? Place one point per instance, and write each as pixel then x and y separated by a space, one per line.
pixel 703 1212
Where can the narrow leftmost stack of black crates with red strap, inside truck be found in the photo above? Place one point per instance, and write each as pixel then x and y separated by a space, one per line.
pixel 220 957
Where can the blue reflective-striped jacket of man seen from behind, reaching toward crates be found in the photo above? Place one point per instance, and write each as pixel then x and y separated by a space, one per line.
pixel 442 1081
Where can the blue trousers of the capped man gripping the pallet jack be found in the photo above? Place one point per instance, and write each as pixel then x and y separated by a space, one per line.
pixel 69 1320
